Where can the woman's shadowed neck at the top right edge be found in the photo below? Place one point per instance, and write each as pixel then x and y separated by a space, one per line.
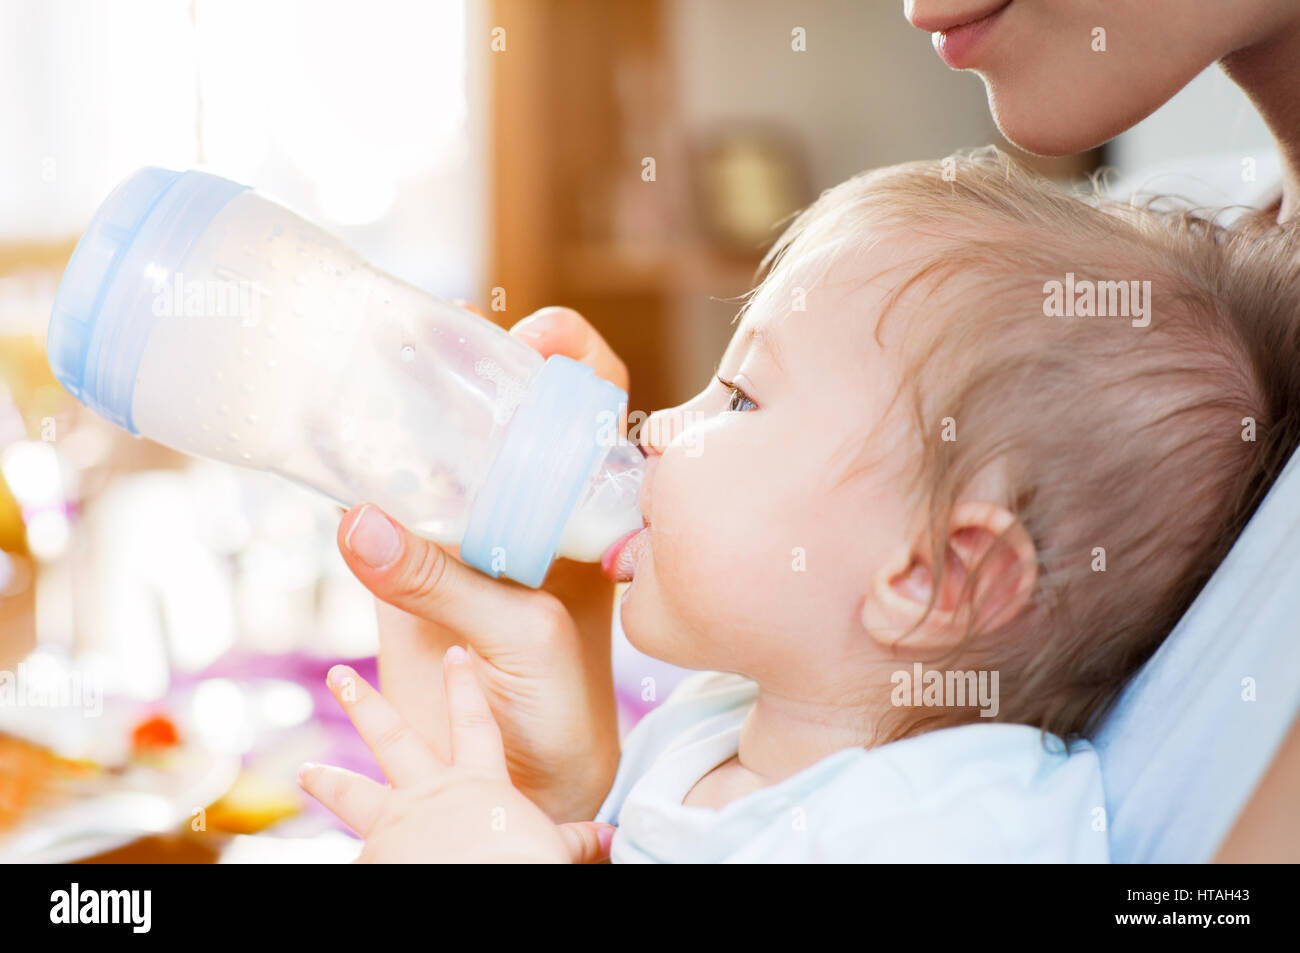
pixel 1269 73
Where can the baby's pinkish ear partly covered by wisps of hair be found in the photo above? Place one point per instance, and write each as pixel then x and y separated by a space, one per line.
pixel 985 542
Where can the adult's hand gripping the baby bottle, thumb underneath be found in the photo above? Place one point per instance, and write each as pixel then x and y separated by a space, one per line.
pixel 543 656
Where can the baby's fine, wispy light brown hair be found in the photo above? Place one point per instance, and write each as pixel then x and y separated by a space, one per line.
pixel 1145 447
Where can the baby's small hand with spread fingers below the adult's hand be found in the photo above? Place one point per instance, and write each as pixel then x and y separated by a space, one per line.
pixel 465 812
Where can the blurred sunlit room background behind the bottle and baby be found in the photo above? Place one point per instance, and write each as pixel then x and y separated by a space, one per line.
pixel 631 161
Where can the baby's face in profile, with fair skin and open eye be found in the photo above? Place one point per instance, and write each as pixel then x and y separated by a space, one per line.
pixel 775 496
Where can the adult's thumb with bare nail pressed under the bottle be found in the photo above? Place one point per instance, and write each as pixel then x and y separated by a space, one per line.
pixel 423 579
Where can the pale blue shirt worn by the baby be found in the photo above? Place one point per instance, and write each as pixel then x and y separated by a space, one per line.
pixel 986 792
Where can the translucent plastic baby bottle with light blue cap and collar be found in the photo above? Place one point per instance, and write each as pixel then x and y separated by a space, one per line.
pixel 210 319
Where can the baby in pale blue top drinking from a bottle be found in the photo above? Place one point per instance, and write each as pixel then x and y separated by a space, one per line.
pixel 973 450
